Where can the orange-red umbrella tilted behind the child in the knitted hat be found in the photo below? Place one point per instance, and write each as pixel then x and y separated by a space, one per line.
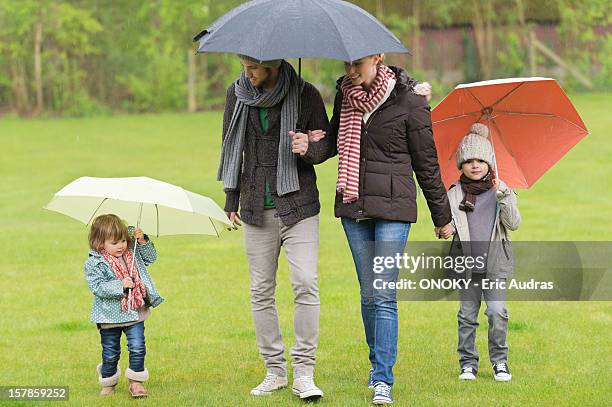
pixel 532 124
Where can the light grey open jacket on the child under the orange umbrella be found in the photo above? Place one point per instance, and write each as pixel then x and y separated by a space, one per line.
pixel 500 259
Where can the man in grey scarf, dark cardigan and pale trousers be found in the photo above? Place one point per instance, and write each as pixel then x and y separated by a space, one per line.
pixel 267 169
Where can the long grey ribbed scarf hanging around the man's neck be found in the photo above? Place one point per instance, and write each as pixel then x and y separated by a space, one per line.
pixel 287 91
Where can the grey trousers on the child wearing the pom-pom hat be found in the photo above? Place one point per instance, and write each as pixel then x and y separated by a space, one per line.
pixel 468 323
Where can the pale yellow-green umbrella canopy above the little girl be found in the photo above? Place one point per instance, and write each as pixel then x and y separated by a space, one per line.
pixel 157 207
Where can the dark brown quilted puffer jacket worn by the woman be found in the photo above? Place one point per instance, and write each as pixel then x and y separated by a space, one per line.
pixel 396 140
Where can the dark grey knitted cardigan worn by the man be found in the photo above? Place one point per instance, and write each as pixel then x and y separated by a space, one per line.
pixel 261 158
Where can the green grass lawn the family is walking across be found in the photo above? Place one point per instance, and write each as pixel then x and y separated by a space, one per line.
pixel 201 340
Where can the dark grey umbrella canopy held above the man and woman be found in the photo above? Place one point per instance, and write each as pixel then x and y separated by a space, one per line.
pixel 273 29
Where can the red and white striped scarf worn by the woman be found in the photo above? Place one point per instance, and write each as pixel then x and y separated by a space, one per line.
pixel 355 102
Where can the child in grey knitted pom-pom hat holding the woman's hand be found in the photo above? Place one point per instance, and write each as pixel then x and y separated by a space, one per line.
pixel 484 209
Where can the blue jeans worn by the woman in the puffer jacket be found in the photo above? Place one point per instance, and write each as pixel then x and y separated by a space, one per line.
pixel 378 306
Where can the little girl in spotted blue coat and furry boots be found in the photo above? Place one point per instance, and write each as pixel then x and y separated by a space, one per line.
pixel 121 303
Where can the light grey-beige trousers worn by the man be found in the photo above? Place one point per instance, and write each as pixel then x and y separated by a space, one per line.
pixel 301 244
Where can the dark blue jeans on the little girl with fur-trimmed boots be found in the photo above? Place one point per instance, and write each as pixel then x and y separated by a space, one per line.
pixel 111 348
